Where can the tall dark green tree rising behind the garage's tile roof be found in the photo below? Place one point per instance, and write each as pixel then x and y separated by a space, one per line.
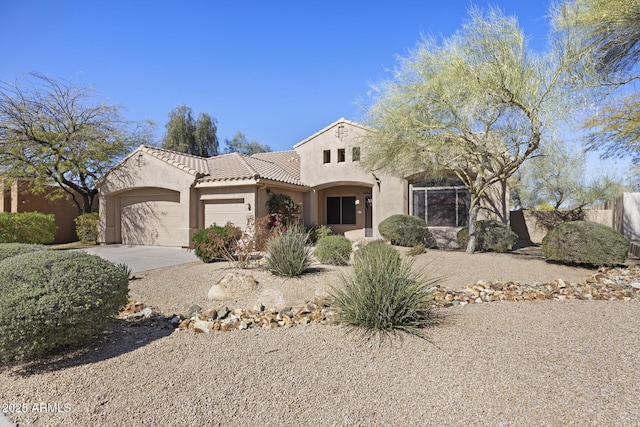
pixel 186 135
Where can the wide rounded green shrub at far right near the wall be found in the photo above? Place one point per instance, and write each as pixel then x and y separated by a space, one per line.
pixel 585 242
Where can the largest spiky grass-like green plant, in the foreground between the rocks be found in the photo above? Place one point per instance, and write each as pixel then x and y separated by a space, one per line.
pixel 383 295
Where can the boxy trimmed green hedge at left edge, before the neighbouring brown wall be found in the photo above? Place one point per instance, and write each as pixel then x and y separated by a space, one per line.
pixel 27 227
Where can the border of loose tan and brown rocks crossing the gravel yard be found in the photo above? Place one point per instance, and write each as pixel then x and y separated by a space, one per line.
pixel 608 284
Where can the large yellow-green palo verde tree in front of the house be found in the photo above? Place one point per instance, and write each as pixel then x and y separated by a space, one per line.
pixel 476 105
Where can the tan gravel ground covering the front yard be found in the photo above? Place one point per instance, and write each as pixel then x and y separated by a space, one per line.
pixel 499 363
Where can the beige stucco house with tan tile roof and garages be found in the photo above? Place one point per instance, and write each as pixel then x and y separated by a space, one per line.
pixel 160 197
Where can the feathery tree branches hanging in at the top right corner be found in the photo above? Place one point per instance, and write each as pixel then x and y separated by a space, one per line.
pixel 608 34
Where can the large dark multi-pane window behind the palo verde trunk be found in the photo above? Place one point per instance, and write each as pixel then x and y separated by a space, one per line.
pixel 442 204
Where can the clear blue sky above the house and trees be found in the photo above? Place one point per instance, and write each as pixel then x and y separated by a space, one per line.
pixel 277 71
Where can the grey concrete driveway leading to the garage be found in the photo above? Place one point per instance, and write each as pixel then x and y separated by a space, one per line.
pixel 141 258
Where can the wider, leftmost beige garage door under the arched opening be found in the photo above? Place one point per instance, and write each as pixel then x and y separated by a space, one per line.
pixel 151 219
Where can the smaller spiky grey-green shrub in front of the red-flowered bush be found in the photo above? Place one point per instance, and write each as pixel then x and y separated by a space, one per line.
pixel 287 253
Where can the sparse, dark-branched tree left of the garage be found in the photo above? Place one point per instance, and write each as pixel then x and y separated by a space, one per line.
pixel 56 133
